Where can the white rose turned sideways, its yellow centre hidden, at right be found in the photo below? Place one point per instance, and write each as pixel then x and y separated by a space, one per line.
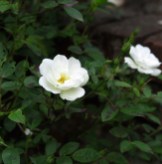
pixel 143 60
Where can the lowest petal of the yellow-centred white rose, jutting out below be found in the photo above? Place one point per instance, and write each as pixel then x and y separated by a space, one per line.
pixel 72 94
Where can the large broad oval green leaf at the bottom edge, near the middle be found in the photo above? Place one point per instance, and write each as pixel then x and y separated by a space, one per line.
pixel 86 155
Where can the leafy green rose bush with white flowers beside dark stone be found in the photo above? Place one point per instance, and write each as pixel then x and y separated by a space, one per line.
pixel 118 120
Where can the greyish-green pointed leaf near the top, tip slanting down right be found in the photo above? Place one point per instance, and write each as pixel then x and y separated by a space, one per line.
pixel 74 13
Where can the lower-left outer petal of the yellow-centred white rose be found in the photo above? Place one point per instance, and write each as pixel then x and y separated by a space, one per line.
pixel 47 86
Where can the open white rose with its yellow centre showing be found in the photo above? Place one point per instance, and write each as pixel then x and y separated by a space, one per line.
pixel 63 76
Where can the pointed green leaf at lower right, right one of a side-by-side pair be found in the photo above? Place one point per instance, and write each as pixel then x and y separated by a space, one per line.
pixel 142 146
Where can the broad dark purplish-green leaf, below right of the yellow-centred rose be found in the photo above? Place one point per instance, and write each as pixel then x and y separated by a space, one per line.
pixel 108 114
